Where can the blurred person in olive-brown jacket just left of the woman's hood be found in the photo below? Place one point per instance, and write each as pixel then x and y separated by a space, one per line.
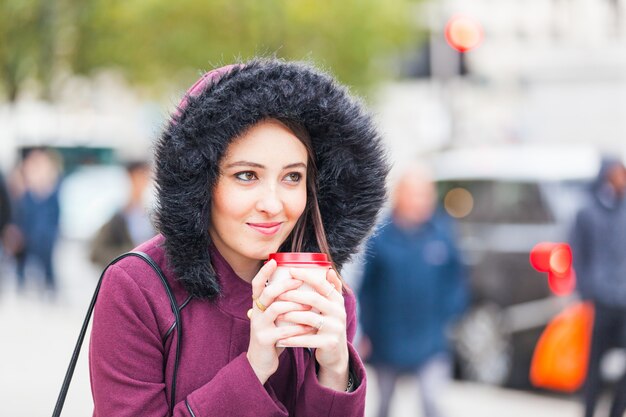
pixel 131 225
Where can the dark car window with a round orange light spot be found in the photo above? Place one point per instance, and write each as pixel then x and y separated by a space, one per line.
pixel 482 201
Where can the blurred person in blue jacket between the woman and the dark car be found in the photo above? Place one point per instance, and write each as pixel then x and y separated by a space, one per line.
pixel 413 288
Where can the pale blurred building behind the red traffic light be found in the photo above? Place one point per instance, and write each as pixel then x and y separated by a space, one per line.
pixel 546 71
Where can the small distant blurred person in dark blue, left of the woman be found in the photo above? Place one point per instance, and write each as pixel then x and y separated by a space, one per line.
pixel 37 215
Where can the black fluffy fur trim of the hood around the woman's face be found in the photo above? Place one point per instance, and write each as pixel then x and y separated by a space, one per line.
pixel 349 155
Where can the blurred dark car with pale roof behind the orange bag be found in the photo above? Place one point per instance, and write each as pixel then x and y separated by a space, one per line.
pixel 507 199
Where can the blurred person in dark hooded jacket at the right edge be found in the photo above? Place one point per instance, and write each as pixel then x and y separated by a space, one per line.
pixel 598 241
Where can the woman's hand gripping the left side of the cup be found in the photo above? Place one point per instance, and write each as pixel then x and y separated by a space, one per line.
pixel 264 334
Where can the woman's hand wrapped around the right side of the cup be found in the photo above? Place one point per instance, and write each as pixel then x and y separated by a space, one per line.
pixel 329 325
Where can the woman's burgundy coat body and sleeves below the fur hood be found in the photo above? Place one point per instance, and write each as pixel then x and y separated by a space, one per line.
pixel 131 360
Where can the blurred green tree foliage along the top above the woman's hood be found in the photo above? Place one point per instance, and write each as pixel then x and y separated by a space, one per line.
pixel 156 41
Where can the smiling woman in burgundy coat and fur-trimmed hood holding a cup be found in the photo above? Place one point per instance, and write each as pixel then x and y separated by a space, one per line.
pixel 260 157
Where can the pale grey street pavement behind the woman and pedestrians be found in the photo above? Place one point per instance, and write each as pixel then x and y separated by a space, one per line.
pixel 39 334
